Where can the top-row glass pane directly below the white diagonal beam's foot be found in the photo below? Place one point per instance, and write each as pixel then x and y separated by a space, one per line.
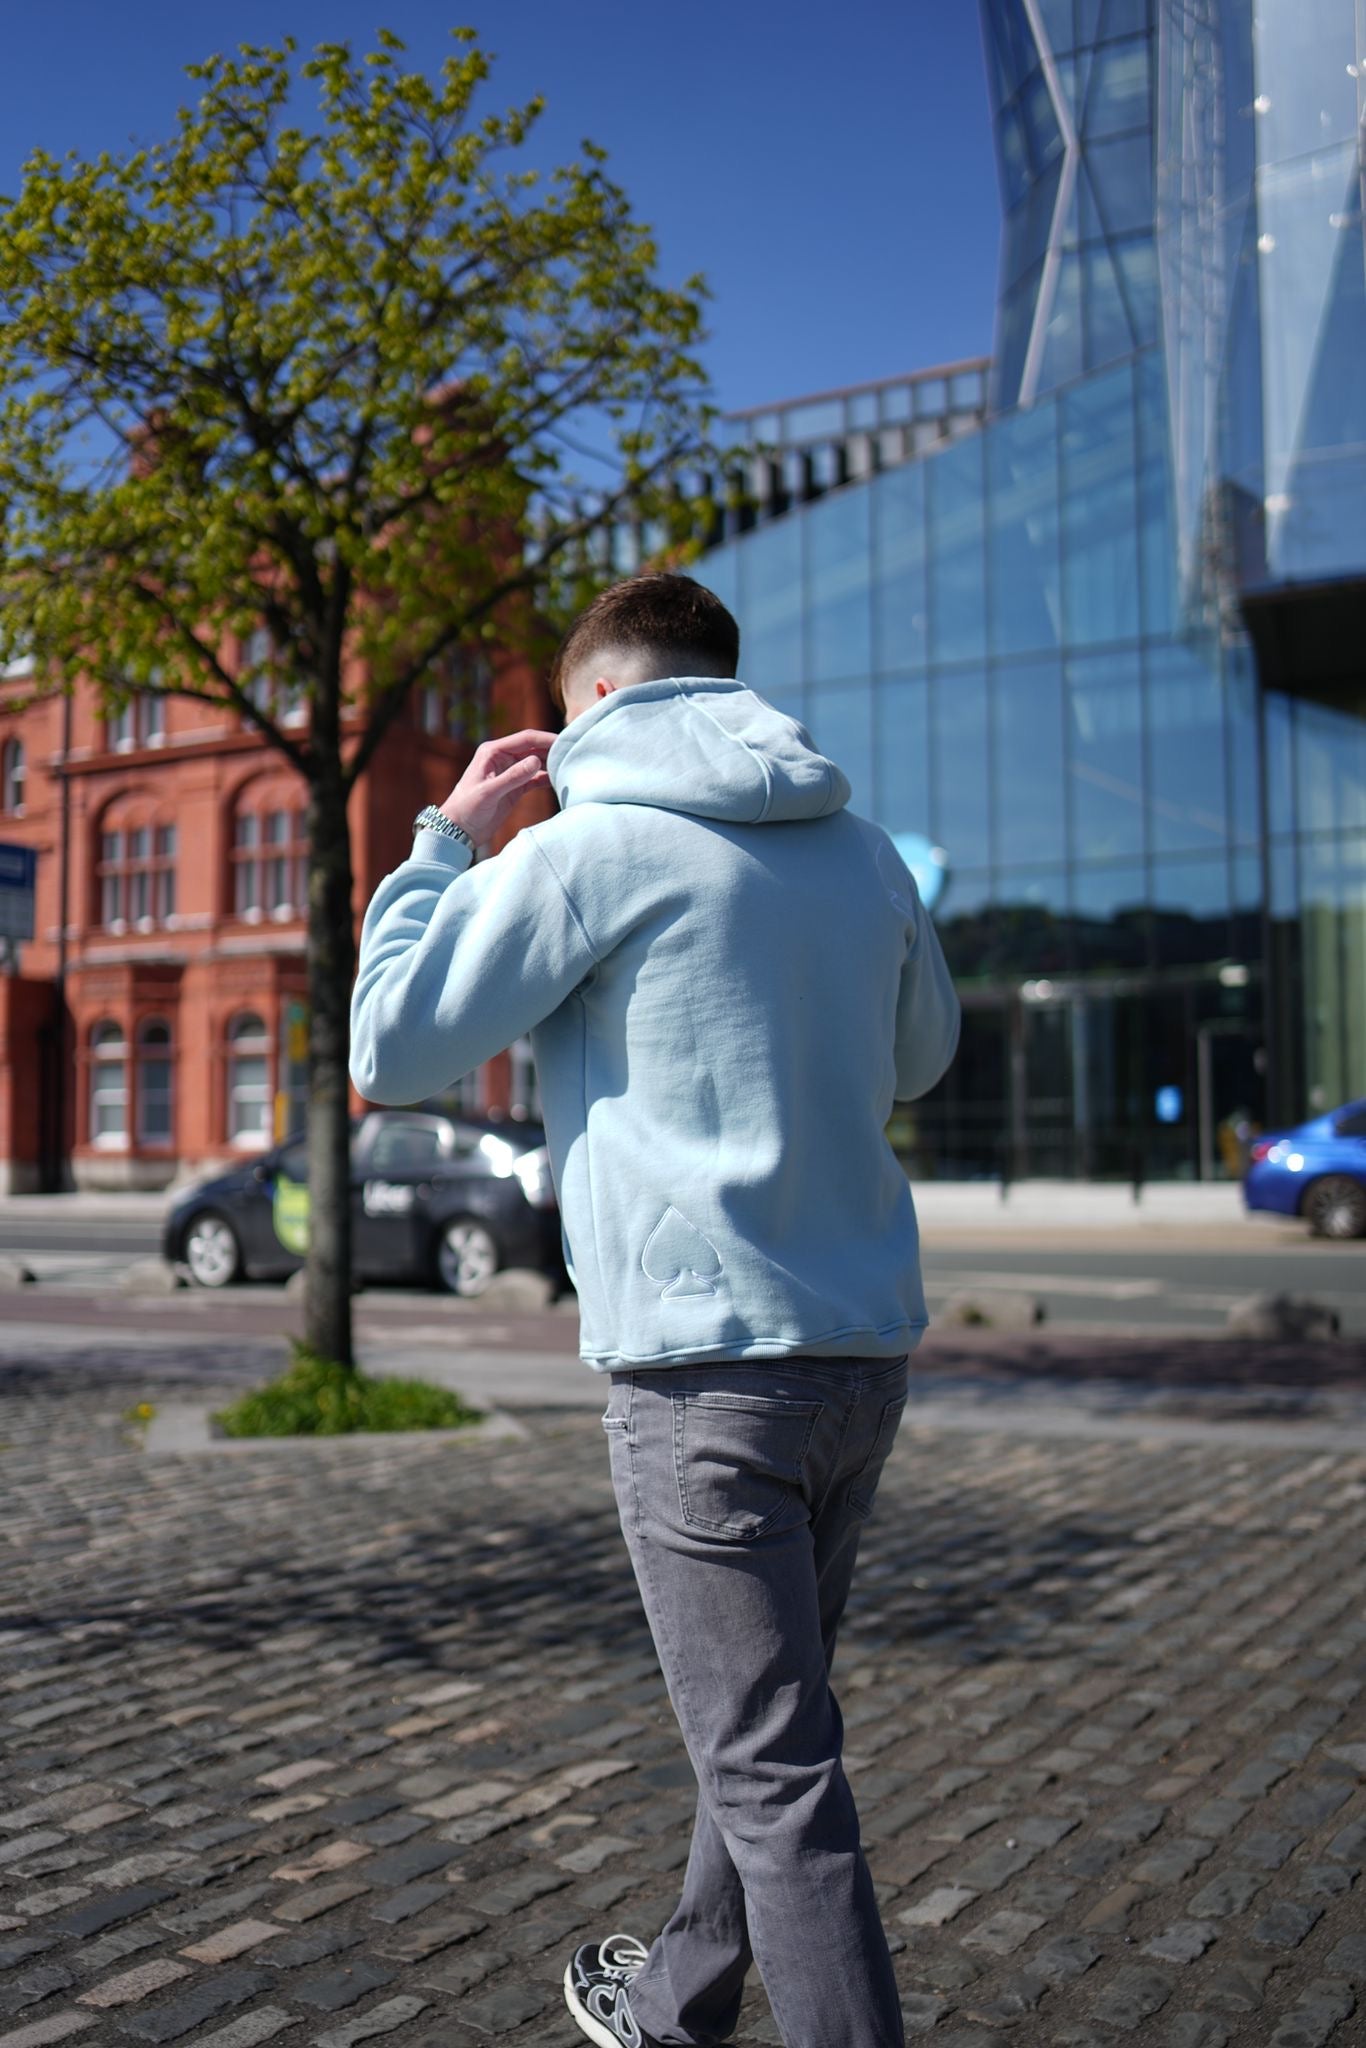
pixel 1025 531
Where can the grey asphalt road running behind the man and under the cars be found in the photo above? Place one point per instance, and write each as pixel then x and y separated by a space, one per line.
pixel 1117 1283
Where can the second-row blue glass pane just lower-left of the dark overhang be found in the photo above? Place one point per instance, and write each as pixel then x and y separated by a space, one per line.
pixel 1187 753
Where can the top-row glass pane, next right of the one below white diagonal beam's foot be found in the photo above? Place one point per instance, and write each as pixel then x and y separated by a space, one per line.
pixel 1101 515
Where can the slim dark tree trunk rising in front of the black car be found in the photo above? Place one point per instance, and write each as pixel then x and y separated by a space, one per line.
pixel 333 966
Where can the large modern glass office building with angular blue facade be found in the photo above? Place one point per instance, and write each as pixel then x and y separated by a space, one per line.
pixel 1088 617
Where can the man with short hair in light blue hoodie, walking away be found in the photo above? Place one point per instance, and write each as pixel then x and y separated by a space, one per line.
pixel 728 980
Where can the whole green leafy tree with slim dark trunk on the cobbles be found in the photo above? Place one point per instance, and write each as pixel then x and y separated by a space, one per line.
pixel 318 364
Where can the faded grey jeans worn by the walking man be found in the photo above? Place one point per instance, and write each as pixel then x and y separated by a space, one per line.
pixel 742 1494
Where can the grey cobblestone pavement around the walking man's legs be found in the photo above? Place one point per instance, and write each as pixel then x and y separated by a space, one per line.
pixel 355 1742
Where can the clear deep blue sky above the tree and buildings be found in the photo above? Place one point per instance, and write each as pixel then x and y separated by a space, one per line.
pixel 828 167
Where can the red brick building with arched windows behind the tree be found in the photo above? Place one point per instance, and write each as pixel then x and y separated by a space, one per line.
pixel 175 835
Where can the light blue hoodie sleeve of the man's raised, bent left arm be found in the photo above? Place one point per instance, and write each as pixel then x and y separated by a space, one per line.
pixel 458 962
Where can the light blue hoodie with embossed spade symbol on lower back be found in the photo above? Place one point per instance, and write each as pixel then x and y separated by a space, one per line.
pixel 726 978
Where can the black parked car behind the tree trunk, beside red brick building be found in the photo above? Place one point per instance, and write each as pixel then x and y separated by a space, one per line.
pixel 437 1201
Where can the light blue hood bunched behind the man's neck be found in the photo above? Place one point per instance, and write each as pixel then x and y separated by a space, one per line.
pixel 697 744
